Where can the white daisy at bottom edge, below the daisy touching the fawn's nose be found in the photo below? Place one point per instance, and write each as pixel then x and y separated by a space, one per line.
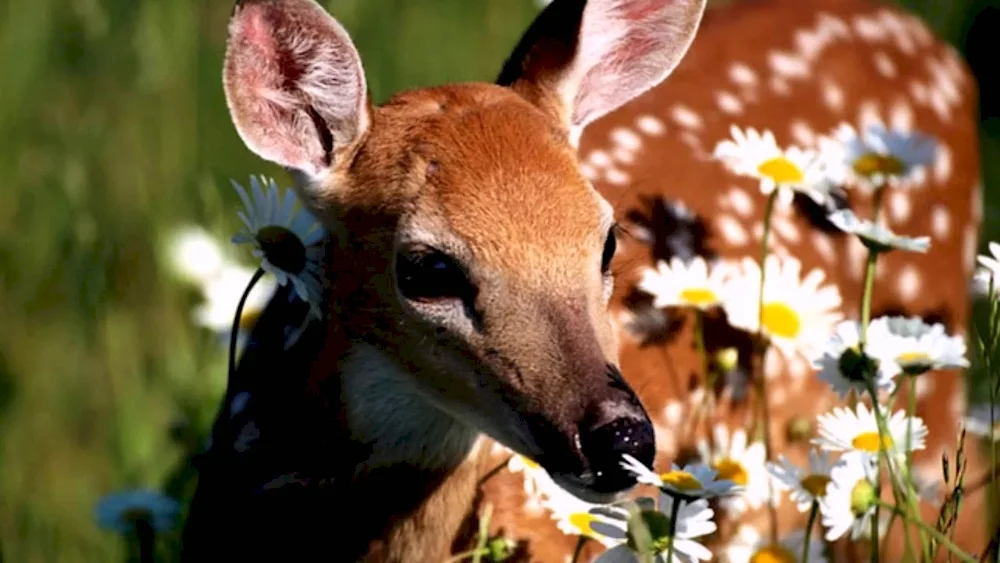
pixel 694 520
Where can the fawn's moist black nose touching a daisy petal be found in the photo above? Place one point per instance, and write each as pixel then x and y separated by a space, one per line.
pixel 628 431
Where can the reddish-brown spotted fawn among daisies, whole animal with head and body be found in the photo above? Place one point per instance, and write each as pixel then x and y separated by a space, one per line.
pixel 378 435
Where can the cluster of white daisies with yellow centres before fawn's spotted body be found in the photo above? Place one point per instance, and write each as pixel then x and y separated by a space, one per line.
pixel 864 361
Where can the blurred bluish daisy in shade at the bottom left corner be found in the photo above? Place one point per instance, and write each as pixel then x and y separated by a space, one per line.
pixel 121 511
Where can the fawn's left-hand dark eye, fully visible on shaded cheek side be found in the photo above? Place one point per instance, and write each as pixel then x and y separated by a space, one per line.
pixel 430 275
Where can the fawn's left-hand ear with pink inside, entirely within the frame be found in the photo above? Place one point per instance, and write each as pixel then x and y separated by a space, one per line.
pixel 294 84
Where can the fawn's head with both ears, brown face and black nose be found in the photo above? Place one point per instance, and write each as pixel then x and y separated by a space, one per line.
pixel 472 258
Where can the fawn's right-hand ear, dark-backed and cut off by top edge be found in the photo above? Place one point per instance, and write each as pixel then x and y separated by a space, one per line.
pixel 582 59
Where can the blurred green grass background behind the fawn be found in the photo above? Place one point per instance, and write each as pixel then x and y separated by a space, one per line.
pixel 114 132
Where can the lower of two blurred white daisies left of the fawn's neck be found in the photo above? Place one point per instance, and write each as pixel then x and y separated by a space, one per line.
pixel 221 296
